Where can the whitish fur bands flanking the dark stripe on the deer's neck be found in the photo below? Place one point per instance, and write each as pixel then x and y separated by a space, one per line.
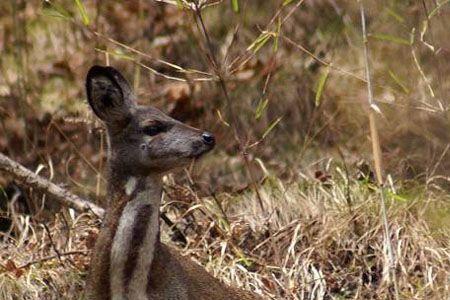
pixel 122 240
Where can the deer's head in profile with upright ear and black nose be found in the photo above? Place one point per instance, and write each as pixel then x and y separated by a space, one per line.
pixel 142 139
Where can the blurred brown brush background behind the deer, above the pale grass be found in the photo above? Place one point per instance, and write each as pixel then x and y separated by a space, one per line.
pixel 281 81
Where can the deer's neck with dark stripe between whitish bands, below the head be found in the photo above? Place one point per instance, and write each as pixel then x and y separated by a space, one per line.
pixel 134 202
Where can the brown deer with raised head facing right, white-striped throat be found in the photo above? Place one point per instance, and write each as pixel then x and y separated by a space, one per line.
pixel 129 261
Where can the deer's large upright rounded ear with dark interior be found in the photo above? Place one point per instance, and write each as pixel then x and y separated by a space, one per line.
pixel 109 94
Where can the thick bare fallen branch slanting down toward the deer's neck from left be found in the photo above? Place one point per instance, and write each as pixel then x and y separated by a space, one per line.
pixel 37 182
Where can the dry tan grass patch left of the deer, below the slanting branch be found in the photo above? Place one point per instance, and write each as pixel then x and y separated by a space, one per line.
pixel 32 269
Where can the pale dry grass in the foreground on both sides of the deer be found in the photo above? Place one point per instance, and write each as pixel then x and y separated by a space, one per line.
pixel 317 240
